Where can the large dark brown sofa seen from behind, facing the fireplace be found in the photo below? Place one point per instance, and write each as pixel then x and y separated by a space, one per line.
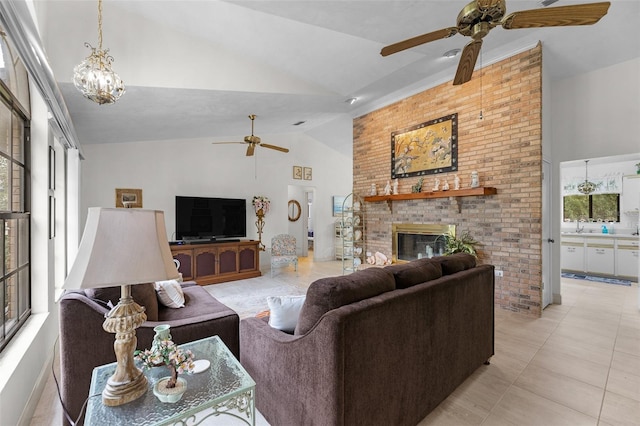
pixel 382 346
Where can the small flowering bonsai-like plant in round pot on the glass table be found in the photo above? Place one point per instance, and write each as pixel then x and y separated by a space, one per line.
pixel 167 353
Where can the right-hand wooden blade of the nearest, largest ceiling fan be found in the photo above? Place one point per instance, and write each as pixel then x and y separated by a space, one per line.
pixel 580 14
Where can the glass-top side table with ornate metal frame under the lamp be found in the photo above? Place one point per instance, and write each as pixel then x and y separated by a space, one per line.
pixel 225 388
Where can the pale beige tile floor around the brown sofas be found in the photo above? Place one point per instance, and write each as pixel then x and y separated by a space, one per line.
pixel 577 365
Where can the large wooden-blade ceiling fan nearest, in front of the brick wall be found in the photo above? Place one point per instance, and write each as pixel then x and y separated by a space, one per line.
pixel 477 18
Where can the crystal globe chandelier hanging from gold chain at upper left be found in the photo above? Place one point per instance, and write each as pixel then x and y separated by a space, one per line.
pixel 94 77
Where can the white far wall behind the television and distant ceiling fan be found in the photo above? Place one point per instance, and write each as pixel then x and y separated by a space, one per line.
pixel 164 169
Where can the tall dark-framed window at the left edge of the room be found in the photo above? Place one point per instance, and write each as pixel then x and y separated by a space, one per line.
pixel 15 233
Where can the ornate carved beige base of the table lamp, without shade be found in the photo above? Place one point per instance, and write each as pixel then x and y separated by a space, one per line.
pixel 127 383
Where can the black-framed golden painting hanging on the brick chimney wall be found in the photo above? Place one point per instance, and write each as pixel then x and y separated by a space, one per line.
pixel 426 148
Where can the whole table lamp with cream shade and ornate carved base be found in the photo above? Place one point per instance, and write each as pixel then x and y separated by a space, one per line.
pixel 123 247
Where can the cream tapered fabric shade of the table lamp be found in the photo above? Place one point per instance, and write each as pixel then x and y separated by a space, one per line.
pixel 122 246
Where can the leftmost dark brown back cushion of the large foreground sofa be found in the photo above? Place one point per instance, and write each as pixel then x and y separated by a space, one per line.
pixel 330 293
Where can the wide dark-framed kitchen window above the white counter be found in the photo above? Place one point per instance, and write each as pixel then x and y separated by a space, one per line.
pixel 592 208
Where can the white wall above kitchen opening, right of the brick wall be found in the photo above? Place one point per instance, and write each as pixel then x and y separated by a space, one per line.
pixel 592 115
